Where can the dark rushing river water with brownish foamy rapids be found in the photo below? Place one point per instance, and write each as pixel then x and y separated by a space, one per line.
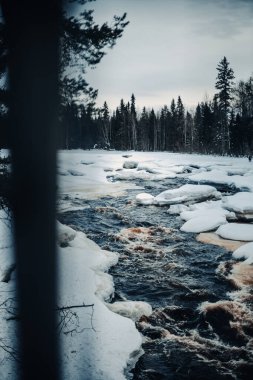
pixel 201 326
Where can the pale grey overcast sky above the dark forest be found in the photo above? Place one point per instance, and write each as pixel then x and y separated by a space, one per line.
pixel 171 48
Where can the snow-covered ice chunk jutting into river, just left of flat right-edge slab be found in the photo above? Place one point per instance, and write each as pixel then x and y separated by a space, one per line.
pixel 204 223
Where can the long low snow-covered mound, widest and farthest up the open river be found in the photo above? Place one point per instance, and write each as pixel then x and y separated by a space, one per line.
pixel 186 193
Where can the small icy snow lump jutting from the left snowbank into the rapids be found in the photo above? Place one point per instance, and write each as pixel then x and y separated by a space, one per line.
pixel 131 309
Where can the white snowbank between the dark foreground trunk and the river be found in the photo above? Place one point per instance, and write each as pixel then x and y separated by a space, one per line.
pixel 100 332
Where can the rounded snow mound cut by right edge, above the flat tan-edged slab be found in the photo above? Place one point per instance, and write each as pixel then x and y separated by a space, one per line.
pixel 240 202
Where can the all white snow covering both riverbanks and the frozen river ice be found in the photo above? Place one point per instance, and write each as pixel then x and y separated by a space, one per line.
pixel 102 344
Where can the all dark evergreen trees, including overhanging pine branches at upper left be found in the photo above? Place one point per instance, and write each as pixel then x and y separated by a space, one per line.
pixel 223 125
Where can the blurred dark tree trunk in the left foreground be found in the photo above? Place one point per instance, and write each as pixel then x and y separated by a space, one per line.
pixel 33 34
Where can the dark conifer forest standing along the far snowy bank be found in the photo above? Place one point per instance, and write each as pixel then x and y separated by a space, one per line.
pixel 223 125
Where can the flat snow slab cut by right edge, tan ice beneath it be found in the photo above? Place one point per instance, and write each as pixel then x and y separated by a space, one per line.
pixel 236 231
